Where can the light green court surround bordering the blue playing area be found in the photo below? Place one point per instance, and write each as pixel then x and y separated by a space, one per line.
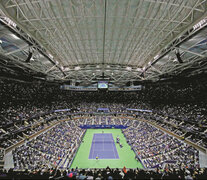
pixel 126 155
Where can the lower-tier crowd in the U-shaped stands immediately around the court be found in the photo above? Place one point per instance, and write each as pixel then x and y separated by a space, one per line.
pixel 154 147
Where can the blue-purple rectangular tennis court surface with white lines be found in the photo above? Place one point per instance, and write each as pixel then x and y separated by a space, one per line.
pixel 103 147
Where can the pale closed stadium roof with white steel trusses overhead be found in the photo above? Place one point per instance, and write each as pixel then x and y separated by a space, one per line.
pixel 118 40
